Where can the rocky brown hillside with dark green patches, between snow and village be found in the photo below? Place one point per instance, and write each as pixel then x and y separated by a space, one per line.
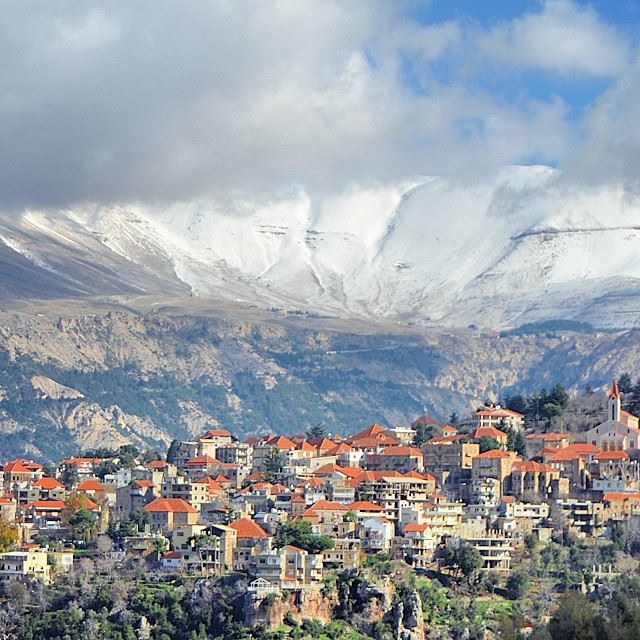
pixel 80 375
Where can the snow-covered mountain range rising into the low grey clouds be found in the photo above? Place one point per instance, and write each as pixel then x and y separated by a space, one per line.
pixel 524 246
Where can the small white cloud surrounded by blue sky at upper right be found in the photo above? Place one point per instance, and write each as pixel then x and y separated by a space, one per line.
pixel 562 37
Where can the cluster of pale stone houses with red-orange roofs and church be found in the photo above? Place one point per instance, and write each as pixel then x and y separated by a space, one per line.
pixel 216 503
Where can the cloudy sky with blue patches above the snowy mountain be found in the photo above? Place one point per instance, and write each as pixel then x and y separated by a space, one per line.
pixel 160 102
